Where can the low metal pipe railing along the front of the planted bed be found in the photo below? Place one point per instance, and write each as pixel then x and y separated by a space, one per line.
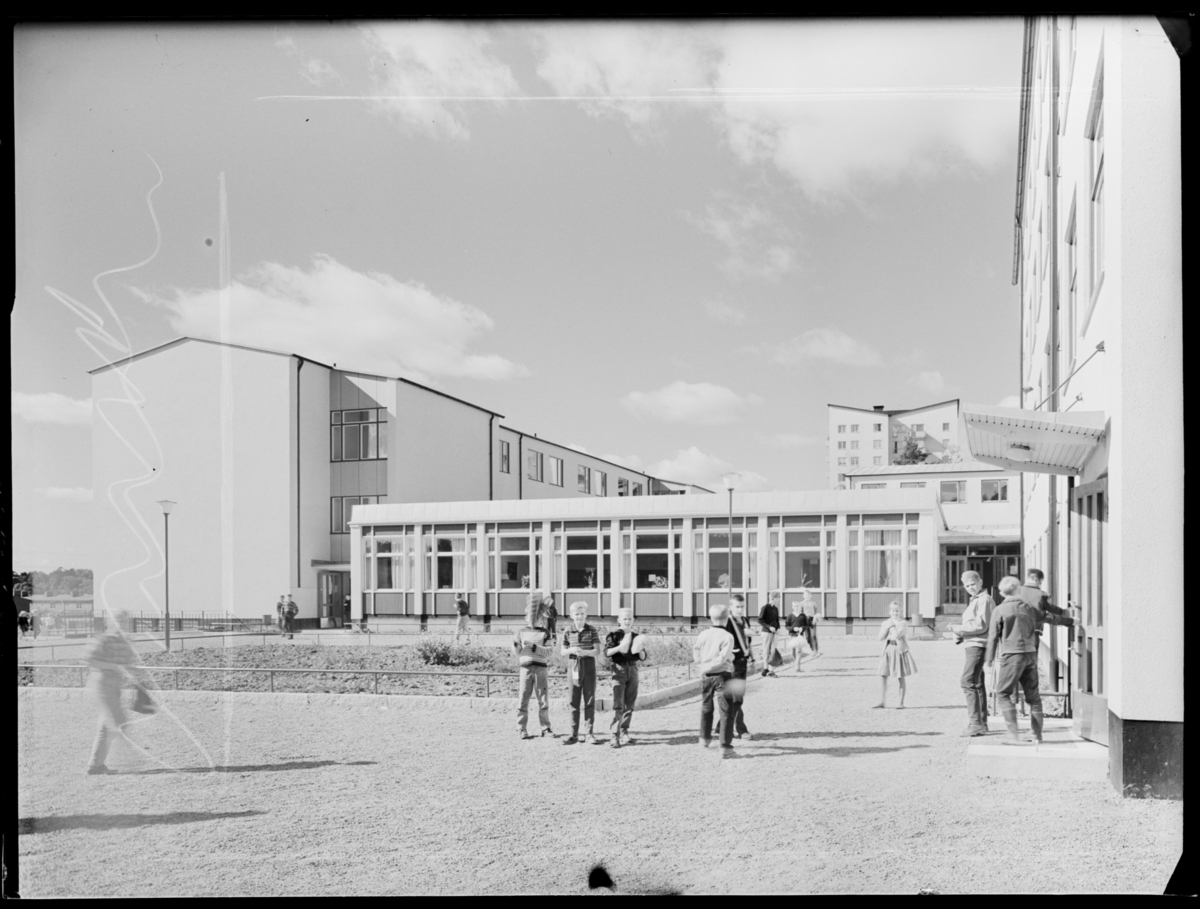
pixel 676 673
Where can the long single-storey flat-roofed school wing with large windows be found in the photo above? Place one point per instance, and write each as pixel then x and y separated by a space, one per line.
pixel 667 558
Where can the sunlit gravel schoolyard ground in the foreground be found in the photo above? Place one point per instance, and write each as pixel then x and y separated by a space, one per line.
pixel 831 797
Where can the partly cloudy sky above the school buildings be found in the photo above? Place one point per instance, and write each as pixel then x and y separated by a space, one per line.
pixel 667 244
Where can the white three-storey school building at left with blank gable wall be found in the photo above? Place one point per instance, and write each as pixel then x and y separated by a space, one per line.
pixel 268 455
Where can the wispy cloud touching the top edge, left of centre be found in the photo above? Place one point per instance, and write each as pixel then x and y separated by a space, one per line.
pixel 422 69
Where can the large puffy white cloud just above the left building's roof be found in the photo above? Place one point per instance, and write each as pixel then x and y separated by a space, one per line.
pixel 329 312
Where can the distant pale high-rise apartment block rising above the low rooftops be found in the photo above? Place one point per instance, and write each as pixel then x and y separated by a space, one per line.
pixel 875 437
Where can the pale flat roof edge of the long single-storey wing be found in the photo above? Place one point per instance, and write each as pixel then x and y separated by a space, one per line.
pixel 811 502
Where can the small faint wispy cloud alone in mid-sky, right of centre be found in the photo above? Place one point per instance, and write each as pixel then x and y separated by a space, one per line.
pixel 757 244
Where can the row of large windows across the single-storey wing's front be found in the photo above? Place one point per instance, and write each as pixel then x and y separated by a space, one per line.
pixel 651 557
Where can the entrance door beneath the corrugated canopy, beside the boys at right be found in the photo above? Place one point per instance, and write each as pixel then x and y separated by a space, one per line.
pixel 1089 540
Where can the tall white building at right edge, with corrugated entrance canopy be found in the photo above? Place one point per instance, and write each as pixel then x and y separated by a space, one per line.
pixel 1099 438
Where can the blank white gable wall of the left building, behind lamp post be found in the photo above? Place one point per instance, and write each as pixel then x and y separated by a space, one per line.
pixel 207 426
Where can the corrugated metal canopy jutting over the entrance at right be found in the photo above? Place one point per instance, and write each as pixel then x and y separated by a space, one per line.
pixel 1031 441
